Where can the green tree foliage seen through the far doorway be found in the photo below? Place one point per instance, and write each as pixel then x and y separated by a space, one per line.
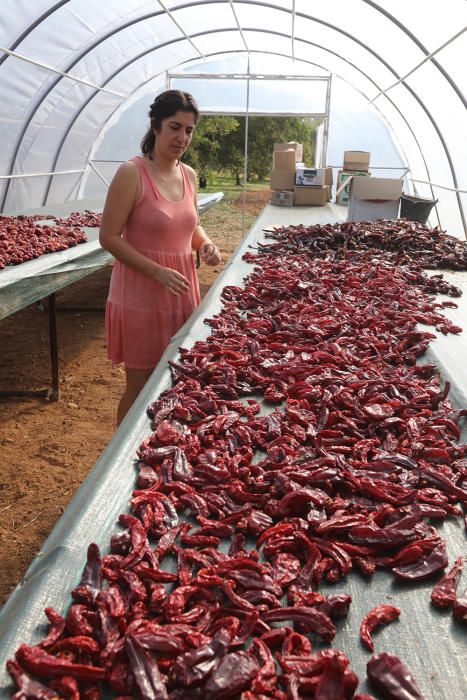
pixel 219 143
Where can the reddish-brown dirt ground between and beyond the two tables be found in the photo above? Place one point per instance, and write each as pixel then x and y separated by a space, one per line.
pixel 47 449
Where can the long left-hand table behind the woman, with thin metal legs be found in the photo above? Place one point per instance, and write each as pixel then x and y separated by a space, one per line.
pixel 22 285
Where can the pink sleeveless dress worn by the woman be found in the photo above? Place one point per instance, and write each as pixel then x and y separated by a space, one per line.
pixel 141 315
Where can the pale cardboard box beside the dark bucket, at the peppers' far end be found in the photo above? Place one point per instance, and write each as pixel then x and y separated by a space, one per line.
pixel 374 198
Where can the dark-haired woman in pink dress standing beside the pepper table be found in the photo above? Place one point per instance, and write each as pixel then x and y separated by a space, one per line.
pixel 150 224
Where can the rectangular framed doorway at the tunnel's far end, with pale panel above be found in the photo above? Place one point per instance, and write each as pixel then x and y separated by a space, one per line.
pixel 247 98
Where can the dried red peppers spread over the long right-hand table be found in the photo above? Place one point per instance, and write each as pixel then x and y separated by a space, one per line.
pixel 358 455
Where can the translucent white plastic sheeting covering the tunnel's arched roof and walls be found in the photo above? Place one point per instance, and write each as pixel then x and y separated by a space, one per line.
pixel 68 68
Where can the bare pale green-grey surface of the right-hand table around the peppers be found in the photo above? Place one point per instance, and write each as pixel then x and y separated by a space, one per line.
pixel 426 639
